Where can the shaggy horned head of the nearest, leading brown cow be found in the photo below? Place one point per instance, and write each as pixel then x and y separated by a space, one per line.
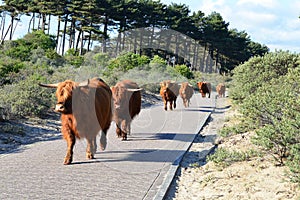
pixel 64 91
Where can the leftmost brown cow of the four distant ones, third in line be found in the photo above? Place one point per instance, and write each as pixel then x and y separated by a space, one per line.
pixel 169 91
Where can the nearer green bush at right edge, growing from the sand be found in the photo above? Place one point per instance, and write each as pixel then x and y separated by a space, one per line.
pixel 275 110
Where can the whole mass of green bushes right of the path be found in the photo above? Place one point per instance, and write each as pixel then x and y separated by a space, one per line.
pixel 269 100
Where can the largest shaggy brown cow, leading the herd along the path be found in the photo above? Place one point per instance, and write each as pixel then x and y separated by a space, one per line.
pixel 86 108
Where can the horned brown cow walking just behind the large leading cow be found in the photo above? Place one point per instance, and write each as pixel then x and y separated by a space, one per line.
pixel 127 103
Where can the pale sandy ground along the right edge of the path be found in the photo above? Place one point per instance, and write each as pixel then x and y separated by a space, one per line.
pixel 257 178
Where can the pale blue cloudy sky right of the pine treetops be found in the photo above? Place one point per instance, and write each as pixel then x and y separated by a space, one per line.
pixel 274 23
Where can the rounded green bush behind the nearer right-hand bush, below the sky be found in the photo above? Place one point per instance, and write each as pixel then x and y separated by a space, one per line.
pixel 249 76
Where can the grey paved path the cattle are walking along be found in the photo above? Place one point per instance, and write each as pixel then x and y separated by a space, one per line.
pixel 133 169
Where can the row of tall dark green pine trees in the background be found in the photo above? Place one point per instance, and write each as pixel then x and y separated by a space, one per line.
pixel 80 24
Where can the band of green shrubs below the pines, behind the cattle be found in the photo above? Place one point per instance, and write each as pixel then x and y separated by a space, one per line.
pixel 32 59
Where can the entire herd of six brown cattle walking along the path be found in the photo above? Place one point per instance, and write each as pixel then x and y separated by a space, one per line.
pixel 87 108
